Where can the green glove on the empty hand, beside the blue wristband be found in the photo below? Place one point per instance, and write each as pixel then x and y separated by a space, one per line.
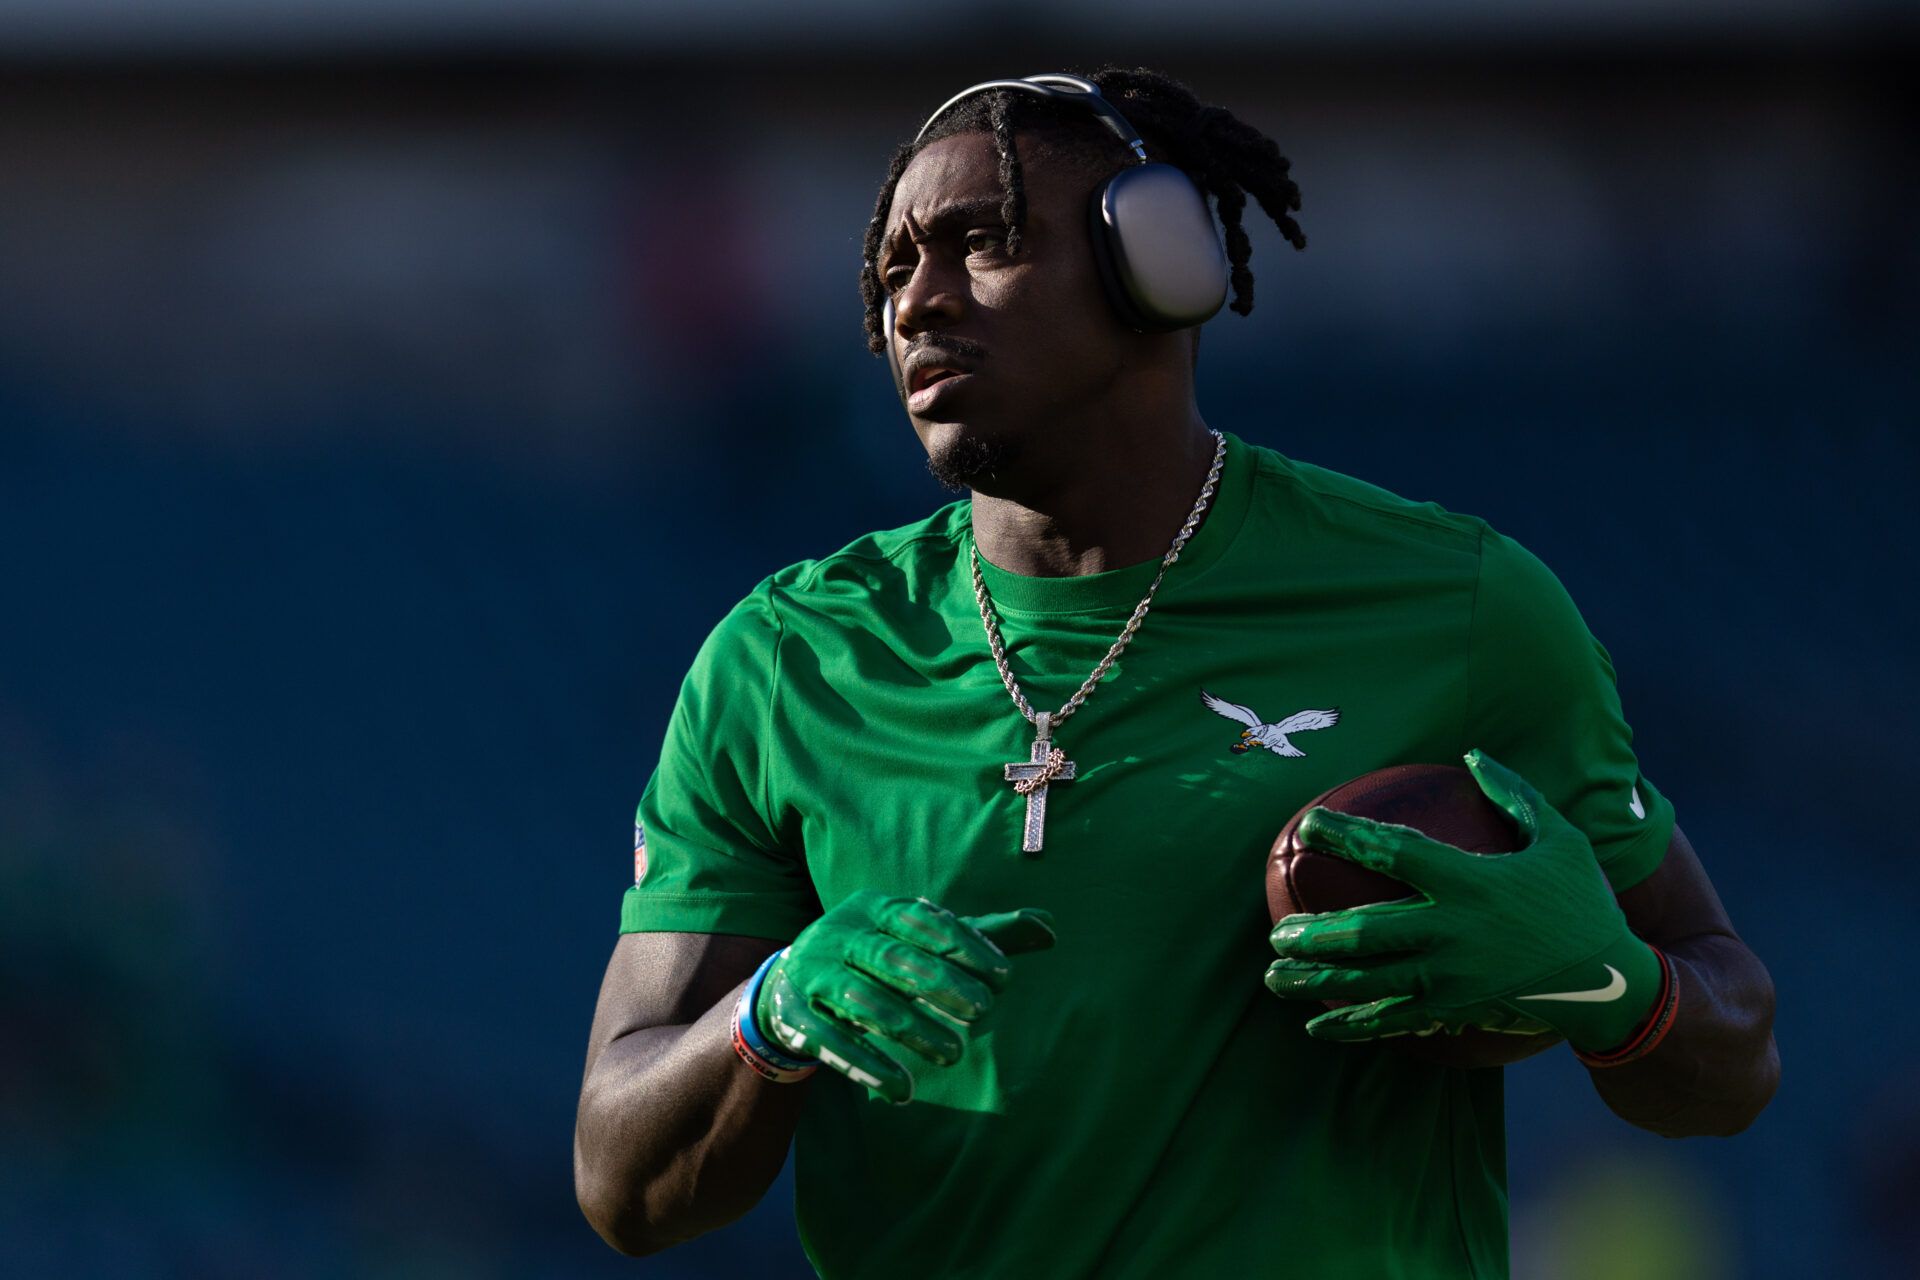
pixel 876 974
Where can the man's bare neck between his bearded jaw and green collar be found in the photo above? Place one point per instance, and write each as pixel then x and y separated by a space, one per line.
pixel 1115 506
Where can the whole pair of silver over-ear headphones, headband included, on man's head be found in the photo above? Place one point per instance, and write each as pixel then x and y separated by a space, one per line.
pixel 1153 233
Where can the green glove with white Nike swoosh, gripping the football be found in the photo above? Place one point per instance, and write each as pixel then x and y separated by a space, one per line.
pixel 1524 941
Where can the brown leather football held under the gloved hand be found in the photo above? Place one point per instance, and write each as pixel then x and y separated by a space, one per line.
pixel 1437 799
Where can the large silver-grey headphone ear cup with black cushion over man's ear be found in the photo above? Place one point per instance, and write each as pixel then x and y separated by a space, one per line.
pixel 1157 250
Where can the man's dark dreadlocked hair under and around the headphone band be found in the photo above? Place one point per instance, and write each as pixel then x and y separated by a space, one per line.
pixel 1226 156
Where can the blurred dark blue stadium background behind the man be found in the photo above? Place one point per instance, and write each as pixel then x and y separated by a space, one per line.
pixel 395 394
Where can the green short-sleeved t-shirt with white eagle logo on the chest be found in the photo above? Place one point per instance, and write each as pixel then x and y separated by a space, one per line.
pixel 1138 1104
